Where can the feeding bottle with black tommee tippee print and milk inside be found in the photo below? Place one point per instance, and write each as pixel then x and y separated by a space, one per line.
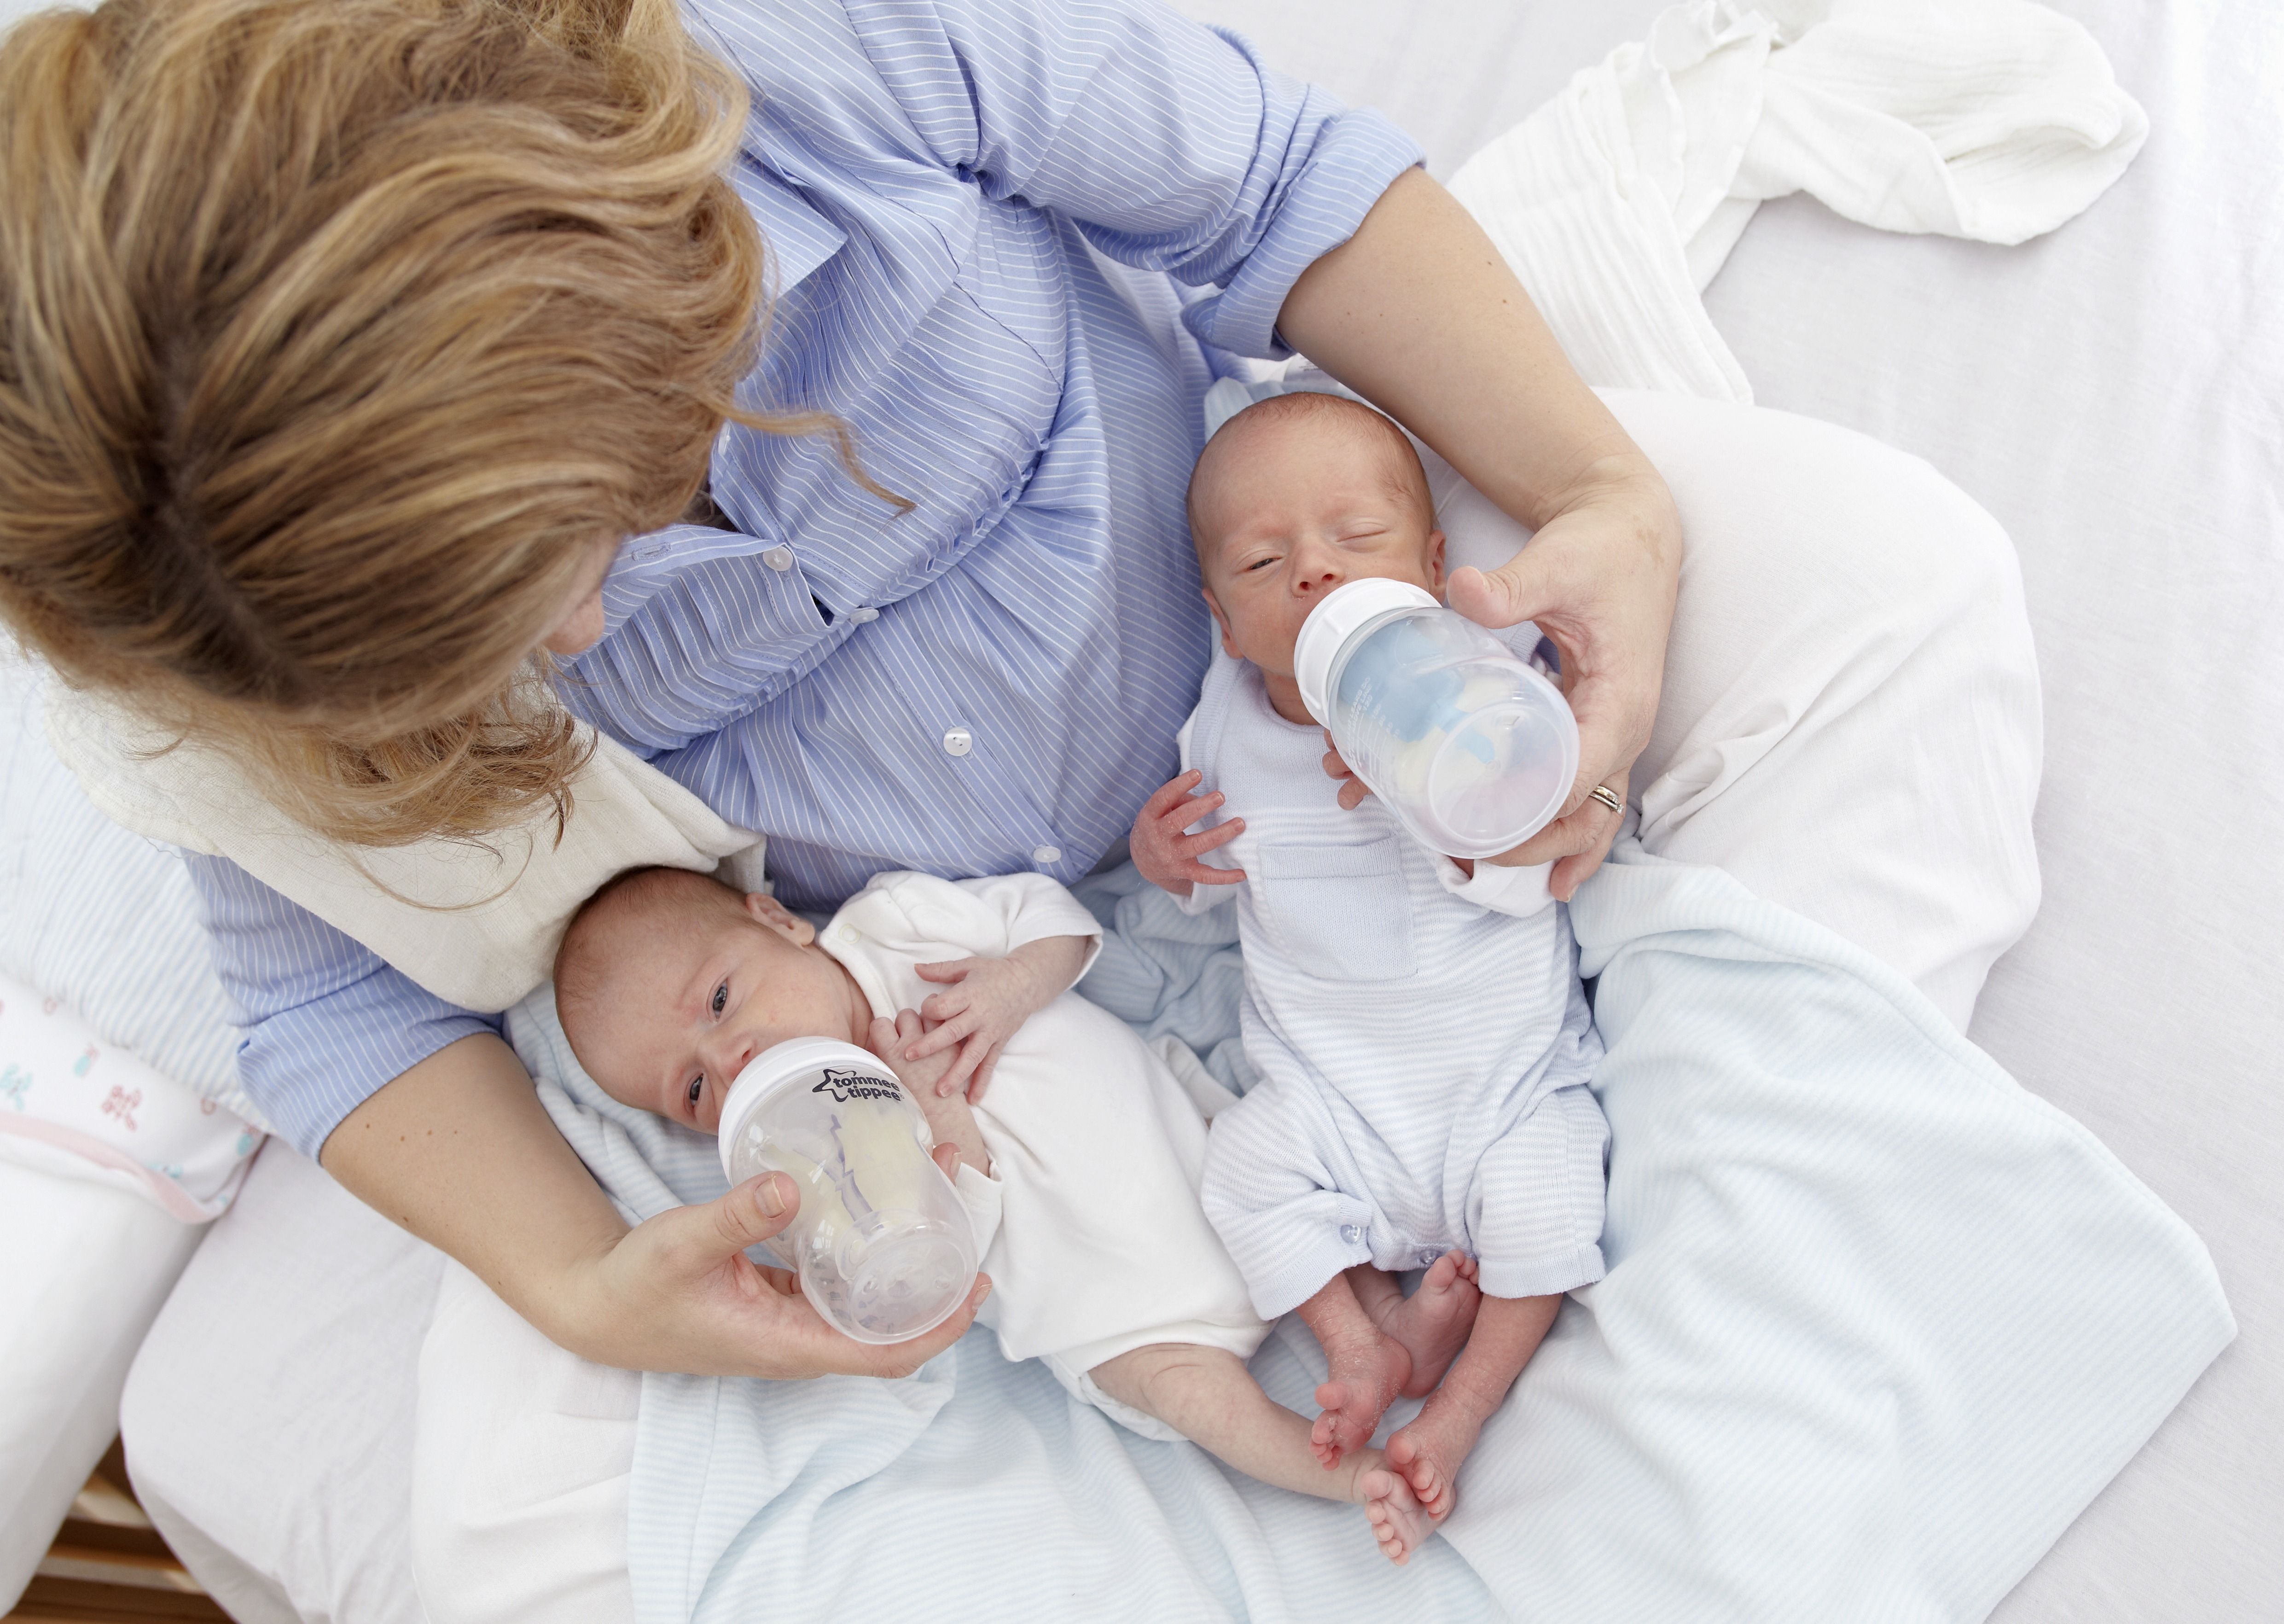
pixel 883 1241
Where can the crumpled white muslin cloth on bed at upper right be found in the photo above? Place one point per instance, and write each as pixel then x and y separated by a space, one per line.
pixel 1618 200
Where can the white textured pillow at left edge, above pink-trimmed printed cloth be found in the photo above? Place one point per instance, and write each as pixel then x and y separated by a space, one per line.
pixel 102 919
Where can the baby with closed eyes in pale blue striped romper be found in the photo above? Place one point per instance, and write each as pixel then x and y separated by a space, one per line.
pixel 1417 1022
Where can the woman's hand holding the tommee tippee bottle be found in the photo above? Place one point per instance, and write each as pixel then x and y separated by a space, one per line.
pixel 702 1308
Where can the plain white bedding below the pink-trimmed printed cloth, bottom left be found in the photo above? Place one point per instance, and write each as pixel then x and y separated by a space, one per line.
pixel 83 1271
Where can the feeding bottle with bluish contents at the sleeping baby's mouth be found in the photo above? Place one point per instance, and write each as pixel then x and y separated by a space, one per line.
pixel 1465 743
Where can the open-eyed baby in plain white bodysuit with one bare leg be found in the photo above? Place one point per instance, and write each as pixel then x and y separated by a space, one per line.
pixel 1070 1139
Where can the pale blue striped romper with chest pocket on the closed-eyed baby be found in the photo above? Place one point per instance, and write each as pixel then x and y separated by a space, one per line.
pixel 1422 1038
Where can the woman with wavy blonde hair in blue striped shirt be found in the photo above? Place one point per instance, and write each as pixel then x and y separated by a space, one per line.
pixel 367 353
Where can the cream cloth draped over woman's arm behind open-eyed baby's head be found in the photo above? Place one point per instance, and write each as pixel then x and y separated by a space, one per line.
pixel 472 922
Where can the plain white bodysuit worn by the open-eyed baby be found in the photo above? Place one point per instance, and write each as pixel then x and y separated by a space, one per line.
pixel 1097 1148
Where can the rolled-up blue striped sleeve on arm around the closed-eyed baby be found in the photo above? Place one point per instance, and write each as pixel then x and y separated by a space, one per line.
pixel 1168 143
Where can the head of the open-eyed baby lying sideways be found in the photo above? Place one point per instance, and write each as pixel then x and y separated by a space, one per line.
pixel 670 983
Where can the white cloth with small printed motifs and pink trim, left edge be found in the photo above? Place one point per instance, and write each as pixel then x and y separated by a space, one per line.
pixel 81 1109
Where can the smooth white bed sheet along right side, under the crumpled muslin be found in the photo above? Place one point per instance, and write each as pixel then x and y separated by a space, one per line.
pixel 2116 399
